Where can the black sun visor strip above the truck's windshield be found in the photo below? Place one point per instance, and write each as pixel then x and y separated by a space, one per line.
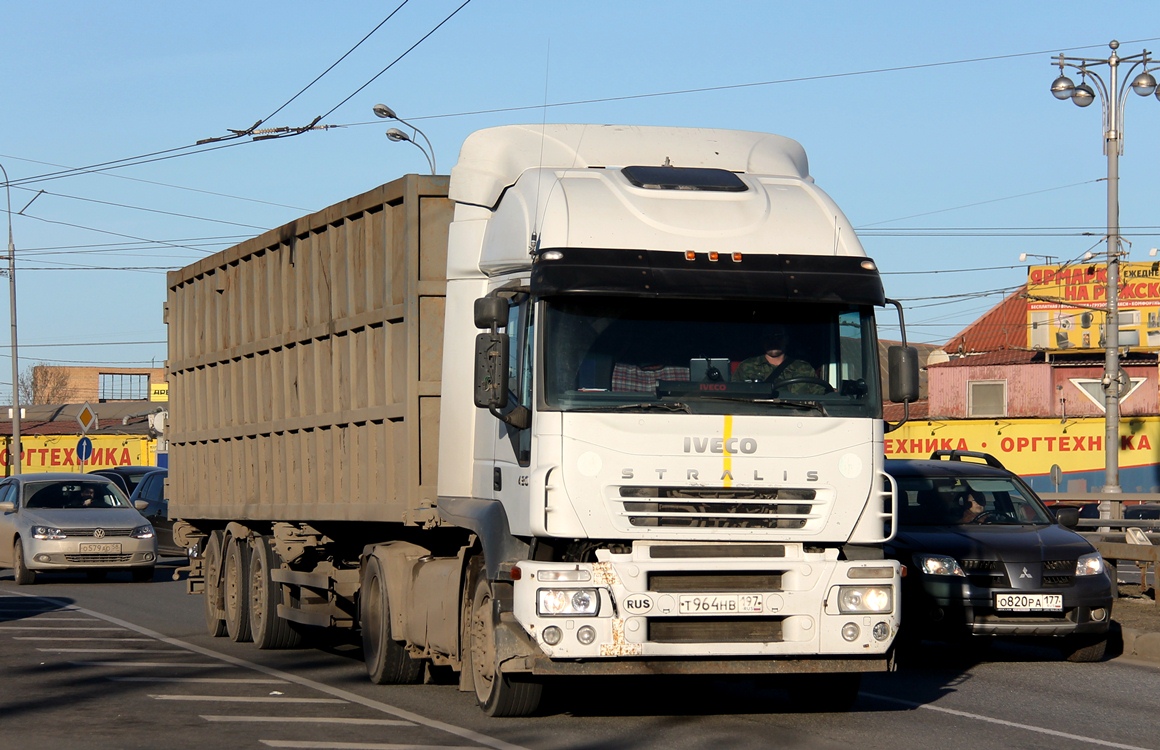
pixel 665 274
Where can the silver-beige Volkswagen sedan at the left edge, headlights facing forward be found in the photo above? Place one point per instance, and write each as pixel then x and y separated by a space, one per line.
pixel 56 522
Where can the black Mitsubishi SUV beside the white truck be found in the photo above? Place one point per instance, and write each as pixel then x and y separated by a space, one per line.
pixel 987 558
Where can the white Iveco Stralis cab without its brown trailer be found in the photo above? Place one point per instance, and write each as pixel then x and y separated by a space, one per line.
pixel 640 501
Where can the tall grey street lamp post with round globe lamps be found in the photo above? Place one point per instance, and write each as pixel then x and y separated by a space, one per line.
pixel 1113 97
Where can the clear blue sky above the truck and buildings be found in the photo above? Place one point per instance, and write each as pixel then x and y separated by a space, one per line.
pixel 931 125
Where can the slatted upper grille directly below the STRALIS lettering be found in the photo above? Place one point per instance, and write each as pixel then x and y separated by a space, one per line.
pixel 719 508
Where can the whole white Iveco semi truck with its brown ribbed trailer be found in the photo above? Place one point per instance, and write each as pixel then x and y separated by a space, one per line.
pixel 501 423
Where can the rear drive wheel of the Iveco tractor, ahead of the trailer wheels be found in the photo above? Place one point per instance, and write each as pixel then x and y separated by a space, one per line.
pixel 388 661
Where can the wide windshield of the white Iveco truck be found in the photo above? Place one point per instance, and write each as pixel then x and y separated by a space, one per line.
pixel 620 354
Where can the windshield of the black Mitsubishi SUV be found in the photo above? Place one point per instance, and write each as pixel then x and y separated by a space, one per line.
pixel 952 501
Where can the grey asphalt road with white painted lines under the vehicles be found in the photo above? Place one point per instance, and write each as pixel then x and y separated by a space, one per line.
pixel 124 666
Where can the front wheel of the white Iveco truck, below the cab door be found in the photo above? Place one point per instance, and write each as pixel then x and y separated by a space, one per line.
pixel 498 695
